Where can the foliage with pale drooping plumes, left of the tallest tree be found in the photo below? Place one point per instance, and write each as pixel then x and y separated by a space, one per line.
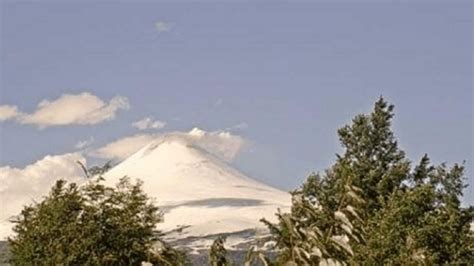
pixel 313 232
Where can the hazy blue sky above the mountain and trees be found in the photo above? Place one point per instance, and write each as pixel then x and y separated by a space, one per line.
pixel 293 73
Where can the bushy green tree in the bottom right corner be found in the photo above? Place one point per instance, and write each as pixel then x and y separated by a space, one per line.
pixel 423 222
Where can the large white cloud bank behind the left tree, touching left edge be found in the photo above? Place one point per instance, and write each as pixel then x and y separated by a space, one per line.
pixel 20 186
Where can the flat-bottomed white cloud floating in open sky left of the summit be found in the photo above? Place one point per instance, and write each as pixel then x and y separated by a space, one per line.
pixel 72 109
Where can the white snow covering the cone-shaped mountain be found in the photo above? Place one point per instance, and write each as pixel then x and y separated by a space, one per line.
pixel 200 194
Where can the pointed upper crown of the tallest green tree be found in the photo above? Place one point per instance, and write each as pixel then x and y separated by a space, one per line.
pixel 371 152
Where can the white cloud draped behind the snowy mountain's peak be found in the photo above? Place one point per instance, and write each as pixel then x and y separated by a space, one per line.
pixel 221 144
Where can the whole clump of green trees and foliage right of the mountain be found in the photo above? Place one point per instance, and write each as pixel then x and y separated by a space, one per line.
pixel 371 208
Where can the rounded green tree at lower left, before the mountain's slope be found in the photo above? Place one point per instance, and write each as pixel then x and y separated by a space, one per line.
pixel 91 225
